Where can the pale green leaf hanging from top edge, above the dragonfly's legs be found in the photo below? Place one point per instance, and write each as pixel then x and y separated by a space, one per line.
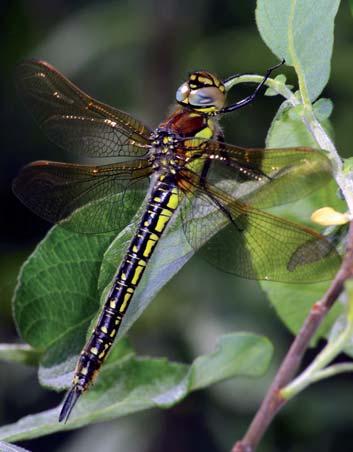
pixel 300 31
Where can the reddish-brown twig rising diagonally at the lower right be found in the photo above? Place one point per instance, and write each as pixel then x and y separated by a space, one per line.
pixel 273 402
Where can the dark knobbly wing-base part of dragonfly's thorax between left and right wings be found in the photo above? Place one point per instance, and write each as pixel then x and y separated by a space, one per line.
pixel 163 155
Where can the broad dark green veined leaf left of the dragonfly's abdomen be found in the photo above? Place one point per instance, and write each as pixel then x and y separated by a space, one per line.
pixel 56 296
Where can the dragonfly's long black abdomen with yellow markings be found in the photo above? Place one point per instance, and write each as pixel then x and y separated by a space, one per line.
pixel 160 208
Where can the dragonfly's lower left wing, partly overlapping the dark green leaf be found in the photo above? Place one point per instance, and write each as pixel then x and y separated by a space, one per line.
pixel 88 199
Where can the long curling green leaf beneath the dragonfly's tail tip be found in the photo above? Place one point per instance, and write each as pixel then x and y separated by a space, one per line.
pixel 128 384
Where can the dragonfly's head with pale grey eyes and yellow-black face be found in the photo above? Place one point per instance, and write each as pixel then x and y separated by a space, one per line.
pixel 203 92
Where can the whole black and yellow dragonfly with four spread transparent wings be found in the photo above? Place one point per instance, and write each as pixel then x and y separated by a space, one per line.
pixel 183 169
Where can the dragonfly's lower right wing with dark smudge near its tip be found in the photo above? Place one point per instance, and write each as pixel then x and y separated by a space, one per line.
pixel 245 241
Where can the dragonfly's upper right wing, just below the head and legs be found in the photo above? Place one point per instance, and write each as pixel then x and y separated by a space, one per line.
pixel 263 177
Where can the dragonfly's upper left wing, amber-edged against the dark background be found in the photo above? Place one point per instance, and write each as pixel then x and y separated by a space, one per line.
pixel 75 121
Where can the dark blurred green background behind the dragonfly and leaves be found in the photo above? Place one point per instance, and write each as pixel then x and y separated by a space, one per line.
pixel 133 55
